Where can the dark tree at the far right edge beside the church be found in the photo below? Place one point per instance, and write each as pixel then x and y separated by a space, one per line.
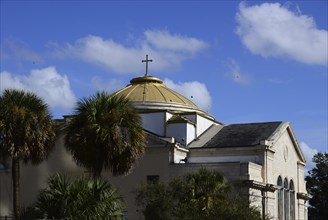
pixel 317 186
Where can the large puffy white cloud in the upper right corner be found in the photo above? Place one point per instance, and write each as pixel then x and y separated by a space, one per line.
pixel 271 29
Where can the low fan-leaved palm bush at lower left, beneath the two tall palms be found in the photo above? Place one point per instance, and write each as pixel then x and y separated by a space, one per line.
pixel 74 199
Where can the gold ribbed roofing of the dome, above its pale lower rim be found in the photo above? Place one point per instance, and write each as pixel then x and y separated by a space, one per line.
pixel 152 89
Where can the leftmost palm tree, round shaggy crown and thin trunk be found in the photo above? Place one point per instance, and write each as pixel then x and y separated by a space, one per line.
pixel 26 133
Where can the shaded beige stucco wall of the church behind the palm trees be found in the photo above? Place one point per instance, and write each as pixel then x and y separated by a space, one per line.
pixel 33 178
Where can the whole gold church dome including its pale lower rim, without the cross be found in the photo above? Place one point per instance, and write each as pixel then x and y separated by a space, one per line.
pixel 149 93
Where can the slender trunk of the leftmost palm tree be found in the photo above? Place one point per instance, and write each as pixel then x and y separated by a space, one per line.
pixel 15 176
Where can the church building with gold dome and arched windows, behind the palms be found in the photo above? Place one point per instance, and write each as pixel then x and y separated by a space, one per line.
pixel 262 160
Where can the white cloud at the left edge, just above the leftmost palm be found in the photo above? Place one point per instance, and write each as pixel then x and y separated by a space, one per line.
pixel 47 83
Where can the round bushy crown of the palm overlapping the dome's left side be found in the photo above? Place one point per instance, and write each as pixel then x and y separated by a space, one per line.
pixel 106 132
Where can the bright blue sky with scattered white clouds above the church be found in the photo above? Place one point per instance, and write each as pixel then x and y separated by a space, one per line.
pixel 242 61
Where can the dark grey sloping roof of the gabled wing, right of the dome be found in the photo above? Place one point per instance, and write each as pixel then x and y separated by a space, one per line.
pixel 238 135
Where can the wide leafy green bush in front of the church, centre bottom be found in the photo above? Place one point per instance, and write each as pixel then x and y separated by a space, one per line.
pixel 202 195
